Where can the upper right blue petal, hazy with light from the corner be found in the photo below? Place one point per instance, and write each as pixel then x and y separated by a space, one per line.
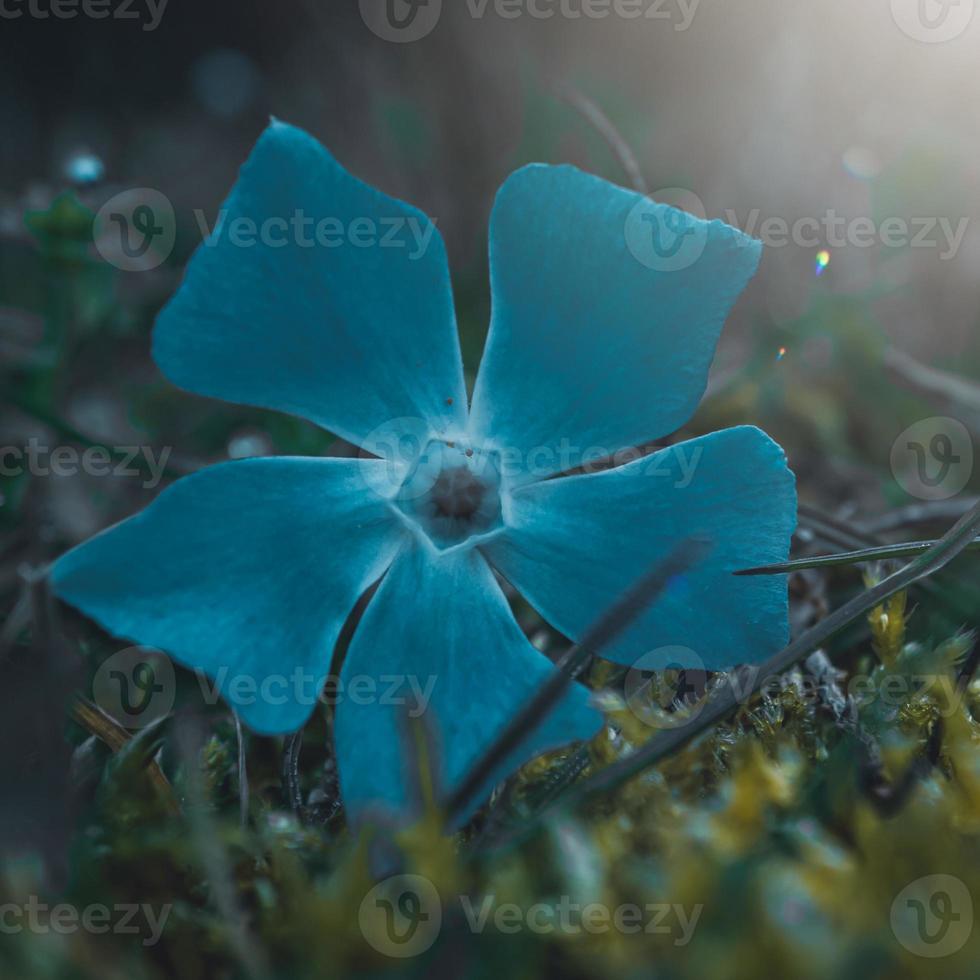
pixel 593 345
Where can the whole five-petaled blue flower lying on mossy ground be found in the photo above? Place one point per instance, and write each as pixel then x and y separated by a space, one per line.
pixel 341 311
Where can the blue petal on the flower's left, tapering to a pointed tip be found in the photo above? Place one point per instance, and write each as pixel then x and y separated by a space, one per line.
pixel 246 571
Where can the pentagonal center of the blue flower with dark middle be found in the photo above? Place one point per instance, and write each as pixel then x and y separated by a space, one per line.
pixel 452 494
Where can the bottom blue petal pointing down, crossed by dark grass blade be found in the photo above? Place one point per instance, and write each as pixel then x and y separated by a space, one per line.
pixel 440 624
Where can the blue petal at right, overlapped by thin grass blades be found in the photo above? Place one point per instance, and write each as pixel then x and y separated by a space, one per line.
pixel 576 544
